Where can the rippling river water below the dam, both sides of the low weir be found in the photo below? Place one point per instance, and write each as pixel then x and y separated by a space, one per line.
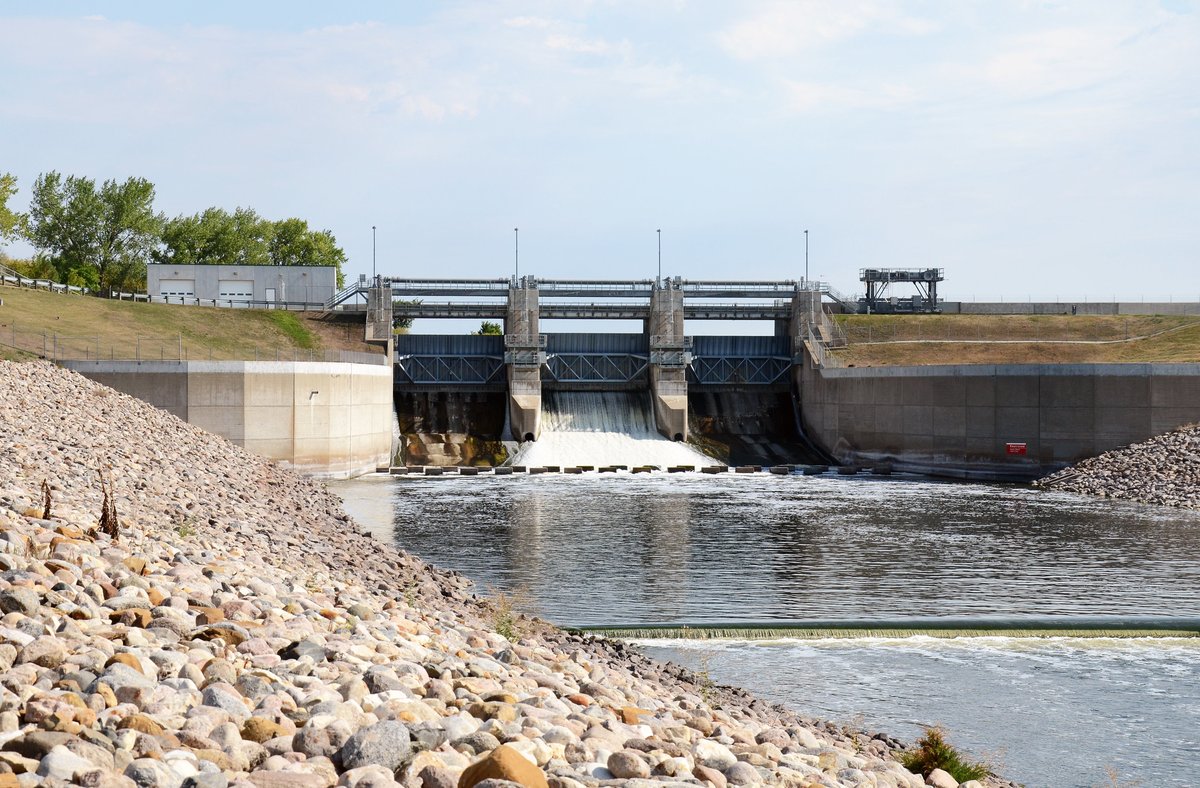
pixel 692 549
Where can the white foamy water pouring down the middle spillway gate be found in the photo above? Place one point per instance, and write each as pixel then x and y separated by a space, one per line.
pixel 603 429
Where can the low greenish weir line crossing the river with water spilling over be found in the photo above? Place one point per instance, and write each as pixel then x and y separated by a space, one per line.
pixel 938 628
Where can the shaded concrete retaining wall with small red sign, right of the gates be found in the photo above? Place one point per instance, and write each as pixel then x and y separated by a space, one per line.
pixel 958 420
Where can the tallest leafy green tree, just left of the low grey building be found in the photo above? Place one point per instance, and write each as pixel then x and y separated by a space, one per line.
pixel 94 238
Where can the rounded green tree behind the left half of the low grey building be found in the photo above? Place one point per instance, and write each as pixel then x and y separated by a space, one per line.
pixel 218 238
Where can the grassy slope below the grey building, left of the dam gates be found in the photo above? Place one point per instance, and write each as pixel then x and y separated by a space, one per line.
pixel 88 327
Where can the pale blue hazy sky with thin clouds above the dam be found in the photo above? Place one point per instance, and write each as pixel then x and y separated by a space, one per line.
pixel 1029 148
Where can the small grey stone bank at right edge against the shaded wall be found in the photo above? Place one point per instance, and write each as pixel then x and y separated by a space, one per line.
pixel 1163 471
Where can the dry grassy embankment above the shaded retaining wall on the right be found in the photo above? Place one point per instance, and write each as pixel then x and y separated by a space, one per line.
pixel 913 340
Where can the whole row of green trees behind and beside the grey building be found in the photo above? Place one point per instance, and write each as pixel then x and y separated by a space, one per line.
pixel 101 237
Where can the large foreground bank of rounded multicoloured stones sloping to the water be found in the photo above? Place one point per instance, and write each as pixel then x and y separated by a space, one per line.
pixel 241 630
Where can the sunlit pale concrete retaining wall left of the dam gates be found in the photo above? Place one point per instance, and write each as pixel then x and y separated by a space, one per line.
pixel 331 420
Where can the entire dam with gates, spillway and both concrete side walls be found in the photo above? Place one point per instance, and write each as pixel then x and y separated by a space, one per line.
pixel 777 399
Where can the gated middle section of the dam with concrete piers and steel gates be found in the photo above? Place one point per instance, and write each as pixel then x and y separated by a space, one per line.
pixel 730 395
